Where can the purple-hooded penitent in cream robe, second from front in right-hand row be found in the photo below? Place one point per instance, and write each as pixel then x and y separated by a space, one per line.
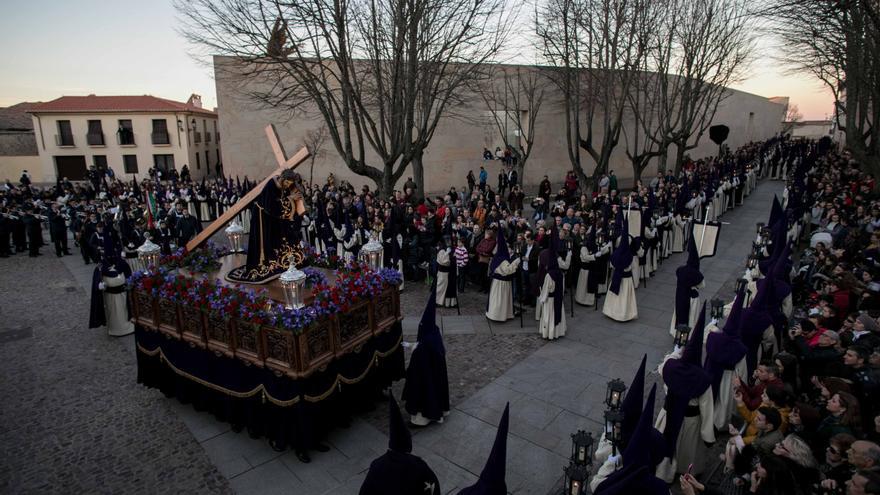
pixel 725 358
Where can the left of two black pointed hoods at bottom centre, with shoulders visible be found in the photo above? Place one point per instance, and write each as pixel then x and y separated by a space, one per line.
pixel 397 471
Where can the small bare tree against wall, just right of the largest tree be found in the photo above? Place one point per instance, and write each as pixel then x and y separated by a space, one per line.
pixel 514 96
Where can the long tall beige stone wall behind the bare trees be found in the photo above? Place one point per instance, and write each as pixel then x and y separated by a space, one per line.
pixel 458 143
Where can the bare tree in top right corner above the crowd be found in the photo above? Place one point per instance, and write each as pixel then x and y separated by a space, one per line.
pixel 839 44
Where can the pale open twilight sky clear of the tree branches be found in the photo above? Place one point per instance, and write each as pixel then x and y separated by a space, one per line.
pixel 53 48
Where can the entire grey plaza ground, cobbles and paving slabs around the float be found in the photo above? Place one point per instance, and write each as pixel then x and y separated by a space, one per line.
pixel 74 420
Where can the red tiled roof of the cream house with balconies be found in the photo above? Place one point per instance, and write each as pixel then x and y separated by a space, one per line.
pixel 115 104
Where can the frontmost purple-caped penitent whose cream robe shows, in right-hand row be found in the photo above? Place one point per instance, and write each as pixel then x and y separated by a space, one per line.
pixel 688 412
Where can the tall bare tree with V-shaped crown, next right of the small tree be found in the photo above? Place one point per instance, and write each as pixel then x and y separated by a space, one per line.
pixel 597 48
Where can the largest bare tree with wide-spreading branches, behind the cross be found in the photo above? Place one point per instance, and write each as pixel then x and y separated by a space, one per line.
pixel 380 74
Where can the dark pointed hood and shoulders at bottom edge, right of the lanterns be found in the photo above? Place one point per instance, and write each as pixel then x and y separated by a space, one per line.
pixel 640 459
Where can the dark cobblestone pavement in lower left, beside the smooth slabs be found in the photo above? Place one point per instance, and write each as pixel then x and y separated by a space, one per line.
pixel 73 419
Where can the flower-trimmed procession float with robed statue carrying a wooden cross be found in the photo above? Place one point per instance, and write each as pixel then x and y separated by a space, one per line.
pixel 274 337
